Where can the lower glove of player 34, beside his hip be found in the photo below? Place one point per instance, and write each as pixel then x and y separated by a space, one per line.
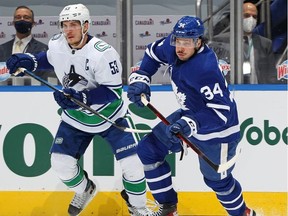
pixel 184 126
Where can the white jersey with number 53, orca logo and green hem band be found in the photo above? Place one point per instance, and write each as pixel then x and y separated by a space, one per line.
pixel 97 63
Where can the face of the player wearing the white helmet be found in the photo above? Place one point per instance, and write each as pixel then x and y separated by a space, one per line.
pixel 73 32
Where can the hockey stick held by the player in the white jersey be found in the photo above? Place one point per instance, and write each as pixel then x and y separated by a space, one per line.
pixel 83 105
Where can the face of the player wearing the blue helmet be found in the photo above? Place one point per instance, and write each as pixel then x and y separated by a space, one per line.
pixel 185 48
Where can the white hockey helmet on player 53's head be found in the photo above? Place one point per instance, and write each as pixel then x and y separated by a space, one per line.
pixel 75 12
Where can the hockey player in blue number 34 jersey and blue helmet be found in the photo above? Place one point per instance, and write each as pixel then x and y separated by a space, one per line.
pixel 207 116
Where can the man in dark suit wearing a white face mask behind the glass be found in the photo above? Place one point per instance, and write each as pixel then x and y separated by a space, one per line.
pixel 259 65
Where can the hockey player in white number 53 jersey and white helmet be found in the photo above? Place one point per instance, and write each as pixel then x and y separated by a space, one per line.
pixel 90 71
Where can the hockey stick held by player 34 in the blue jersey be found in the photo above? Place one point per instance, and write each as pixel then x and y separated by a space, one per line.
pixel 218 168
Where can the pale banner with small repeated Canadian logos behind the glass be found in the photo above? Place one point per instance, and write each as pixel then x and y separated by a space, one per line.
pixel 146 29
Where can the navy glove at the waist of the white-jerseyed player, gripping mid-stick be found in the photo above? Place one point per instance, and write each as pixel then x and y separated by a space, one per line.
pixel 63 98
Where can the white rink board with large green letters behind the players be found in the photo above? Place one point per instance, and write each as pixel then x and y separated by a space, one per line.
pixel 29 120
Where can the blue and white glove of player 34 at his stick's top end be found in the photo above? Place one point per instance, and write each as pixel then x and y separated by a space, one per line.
pixel 139 84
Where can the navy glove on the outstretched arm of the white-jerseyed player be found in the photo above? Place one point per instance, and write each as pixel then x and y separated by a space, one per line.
pixel 21 60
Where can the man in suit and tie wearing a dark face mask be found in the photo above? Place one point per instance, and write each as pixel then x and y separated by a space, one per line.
pixel 23 42
